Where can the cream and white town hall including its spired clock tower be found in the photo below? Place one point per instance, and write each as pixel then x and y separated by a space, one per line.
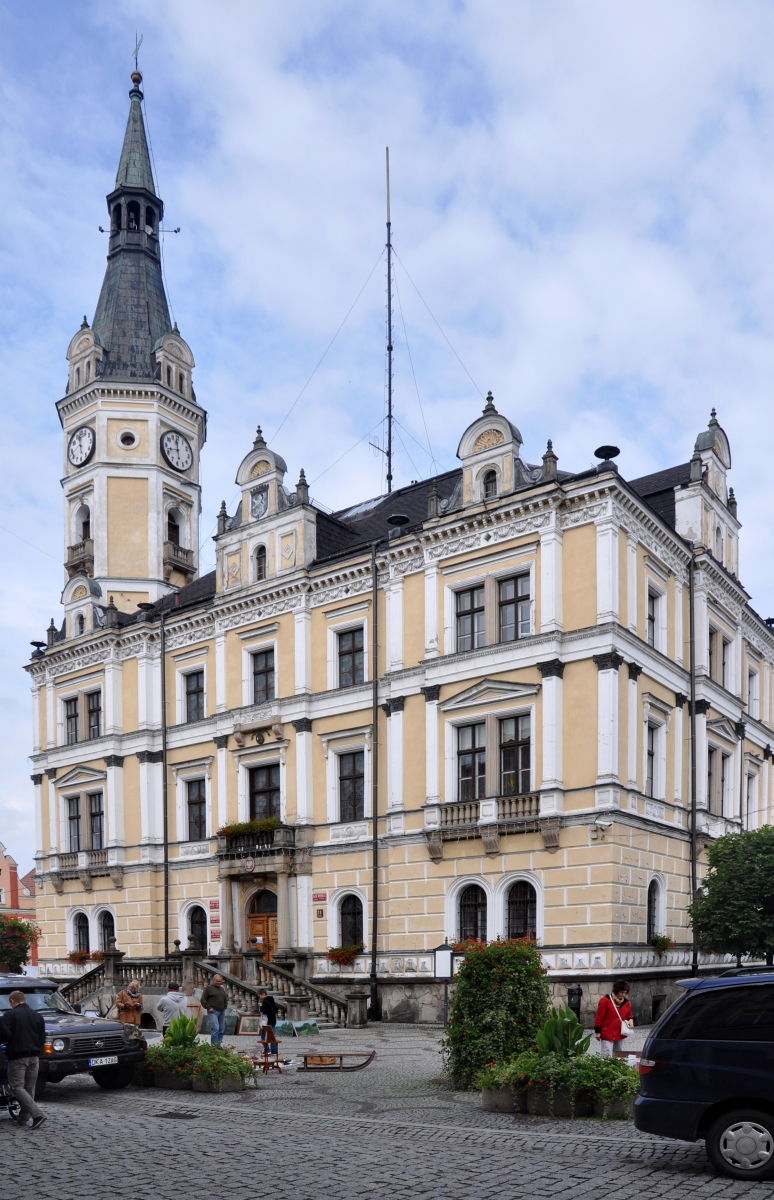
pixel 531 637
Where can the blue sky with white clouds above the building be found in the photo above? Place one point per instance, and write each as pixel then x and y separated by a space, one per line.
pixel 583 202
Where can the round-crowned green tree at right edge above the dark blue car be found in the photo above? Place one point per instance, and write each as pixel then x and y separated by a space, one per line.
pixel 734 910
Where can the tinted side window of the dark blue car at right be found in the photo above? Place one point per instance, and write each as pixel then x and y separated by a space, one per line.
pixel 728 1015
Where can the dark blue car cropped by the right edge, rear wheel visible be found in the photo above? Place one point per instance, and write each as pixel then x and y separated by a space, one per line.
pixel 707 1071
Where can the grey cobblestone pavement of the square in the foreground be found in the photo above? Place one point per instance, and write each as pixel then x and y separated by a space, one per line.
pixel 392 1131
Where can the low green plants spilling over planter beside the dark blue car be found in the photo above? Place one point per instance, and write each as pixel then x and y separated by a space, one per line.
pixel 602 1079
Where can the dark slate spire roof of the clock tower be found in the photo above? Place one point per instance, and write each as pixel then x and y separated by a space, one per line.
pixel 133 314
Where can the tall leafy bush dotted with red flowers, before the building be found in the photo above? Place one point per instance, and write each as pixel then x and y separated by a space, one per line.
pixel 500 1001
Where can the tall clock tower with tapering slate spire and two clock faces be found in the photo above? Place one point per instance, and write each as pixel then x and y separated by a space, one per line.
pixel 133 427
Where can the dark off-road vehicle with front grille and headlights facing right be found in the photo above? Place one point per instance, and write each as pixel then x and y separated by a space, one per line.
pixel 77 1045
